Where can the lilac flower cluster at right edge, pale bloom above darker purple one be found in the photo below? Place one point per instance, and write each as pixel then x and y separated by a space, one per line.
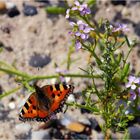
pixel 134 86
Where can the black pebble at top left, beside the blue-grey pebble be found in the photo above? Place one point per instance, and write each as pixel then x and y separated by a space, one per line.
pixel 13 12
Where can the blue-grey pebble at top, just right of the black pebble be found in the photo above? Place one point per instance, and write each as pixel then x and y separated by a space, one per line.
pixel 29 10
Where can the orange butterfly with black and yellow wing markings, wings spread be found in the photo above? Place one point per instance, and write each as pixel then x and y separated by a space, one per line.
pixel 45 102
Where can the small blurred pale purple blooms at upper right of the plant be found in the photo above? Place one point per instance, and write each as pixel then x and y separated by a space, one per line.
pixel 120 27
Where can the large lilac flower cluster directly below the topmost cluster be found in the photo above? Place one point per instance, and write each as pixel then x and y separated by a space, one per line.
pixel 81 32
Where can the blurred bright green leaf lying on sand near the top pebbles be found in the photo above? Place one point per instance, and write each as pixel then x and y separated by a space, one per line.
pixel 55 10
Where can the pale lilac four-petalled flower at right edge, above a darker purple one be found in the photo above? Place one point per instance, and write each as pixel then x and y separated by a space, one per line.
pixel 133 81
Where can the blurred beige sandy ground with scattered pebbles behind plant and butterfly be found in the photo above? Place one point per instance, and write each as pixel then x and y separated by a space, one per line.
pixel 36 41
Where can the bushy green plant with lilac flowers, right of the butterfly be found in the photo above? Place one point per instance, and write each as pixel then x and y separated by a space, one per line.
pixel 102 40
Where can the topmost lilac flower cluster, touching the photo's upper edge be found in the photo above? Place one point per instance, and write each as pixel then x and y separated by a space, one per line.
pixel 81 8
